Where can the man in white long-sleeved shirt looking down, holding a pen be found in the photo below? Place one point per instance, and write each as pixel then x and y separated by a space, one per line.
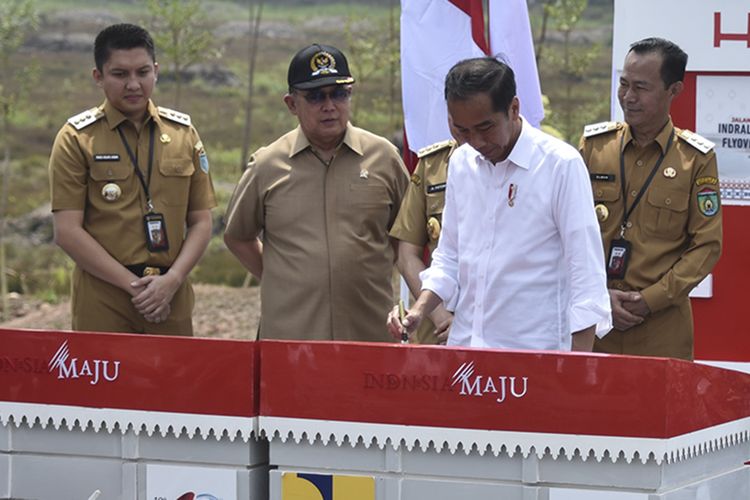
pixel 520 241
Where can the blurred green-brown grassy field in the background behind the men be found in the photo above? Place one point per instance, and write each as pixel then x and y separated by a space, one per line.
pixel 573 40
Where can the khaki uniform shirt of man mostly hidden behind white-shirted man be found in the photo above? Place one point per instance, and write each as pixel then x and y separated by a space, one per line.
pixel 421 213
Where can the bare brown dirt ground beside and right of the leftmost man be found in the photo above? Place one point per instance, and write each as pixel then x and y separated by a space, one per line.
pixel 220 312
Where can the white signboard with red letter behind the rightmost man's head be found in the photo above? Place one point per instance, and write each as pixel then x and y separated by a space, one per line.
pixel 714 33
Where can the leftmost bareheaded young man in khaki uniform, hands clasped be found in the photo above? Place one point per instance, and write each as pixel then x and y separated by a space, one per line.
pixel 131 197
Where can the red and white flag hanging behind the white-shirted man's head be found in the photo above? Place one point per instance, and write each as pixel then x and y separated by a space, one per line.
pixel 436 34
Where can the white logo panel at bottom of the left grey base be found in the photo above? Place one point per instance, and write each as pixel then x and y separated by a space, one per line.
pixel 172 482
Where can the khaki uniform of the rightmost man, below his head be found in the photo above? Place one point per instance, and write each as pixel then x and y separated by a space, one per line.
pixel 675 230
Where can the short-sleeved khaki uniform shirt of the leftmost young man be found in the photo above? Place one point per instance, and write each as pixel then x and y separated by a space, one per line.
pixel 84 160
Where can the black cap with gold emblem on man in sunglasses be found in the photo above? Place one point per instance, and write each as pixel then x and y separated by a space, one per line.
pixel 317 66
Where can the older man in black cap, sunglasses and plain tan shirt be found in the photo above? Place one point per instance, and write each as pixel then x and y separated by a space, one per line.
pixel 311 214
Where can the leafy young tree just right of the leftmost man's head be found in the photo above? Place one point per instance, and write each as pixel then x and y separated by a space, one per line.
pixel 179 34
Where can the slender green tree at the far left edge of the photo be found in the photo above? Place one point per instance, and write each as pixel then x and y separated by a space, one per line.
pixel 18 18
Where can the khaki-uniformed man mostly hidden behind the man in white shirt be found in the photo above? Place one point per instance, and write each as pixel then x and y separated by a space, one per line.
pixel 418 224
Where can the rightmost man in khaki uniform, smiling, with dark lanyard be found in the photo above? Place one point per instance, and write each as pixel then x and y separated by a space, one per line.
pixel 657 199
